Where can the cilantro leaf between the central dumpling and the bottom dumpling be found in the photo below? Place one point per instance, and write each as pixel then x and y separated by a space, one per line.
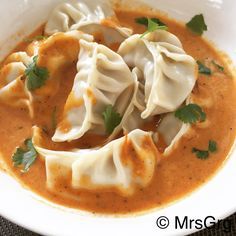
pixel 111 118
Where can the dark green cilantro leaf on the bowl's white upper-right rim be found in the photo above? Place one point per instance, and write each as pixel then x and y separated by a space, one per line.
pixel 197 24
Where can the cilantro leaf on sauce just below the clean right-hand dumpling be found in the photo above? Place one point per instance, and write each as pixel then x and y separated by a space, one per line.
pixel 190 113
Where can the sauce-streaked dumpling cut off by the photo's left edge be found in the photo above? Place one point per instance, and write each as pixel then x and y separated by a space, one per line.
pixel 12 87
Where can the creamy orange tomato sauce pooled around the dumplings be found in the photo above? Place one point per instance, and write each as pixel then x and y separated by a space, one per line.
pixel 175 176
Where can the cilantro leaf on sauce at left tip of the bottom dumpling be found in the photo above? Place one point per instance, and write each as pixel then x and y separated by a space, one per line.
pixel 25 156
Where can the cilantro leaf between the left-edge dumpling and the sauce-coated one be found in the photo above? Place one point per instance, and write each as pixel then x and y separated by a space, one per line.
pixel 36 76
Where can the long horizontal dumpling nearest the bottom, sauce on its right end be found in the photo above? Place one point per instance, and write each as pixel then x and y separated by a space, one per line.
pixel 122 164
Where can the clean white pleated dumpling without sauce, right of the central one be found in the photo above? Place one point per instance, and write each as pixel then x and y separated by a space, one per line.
pixel 168 75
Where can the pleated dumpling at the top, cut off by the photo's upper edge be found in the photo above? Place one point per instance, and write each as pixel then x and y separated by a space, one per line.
pixel 92 17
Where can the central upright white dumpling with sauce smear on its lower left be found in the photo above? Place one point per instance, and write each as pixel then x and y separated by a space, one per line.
pixel 103 79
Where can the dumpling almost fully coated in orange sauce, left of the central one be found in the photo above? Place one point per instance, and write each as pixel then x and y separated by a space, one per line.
pixel 55 53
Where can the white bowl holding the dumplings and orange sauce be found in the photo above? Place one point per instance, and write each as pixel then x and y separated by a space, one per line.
pixel 216 198
